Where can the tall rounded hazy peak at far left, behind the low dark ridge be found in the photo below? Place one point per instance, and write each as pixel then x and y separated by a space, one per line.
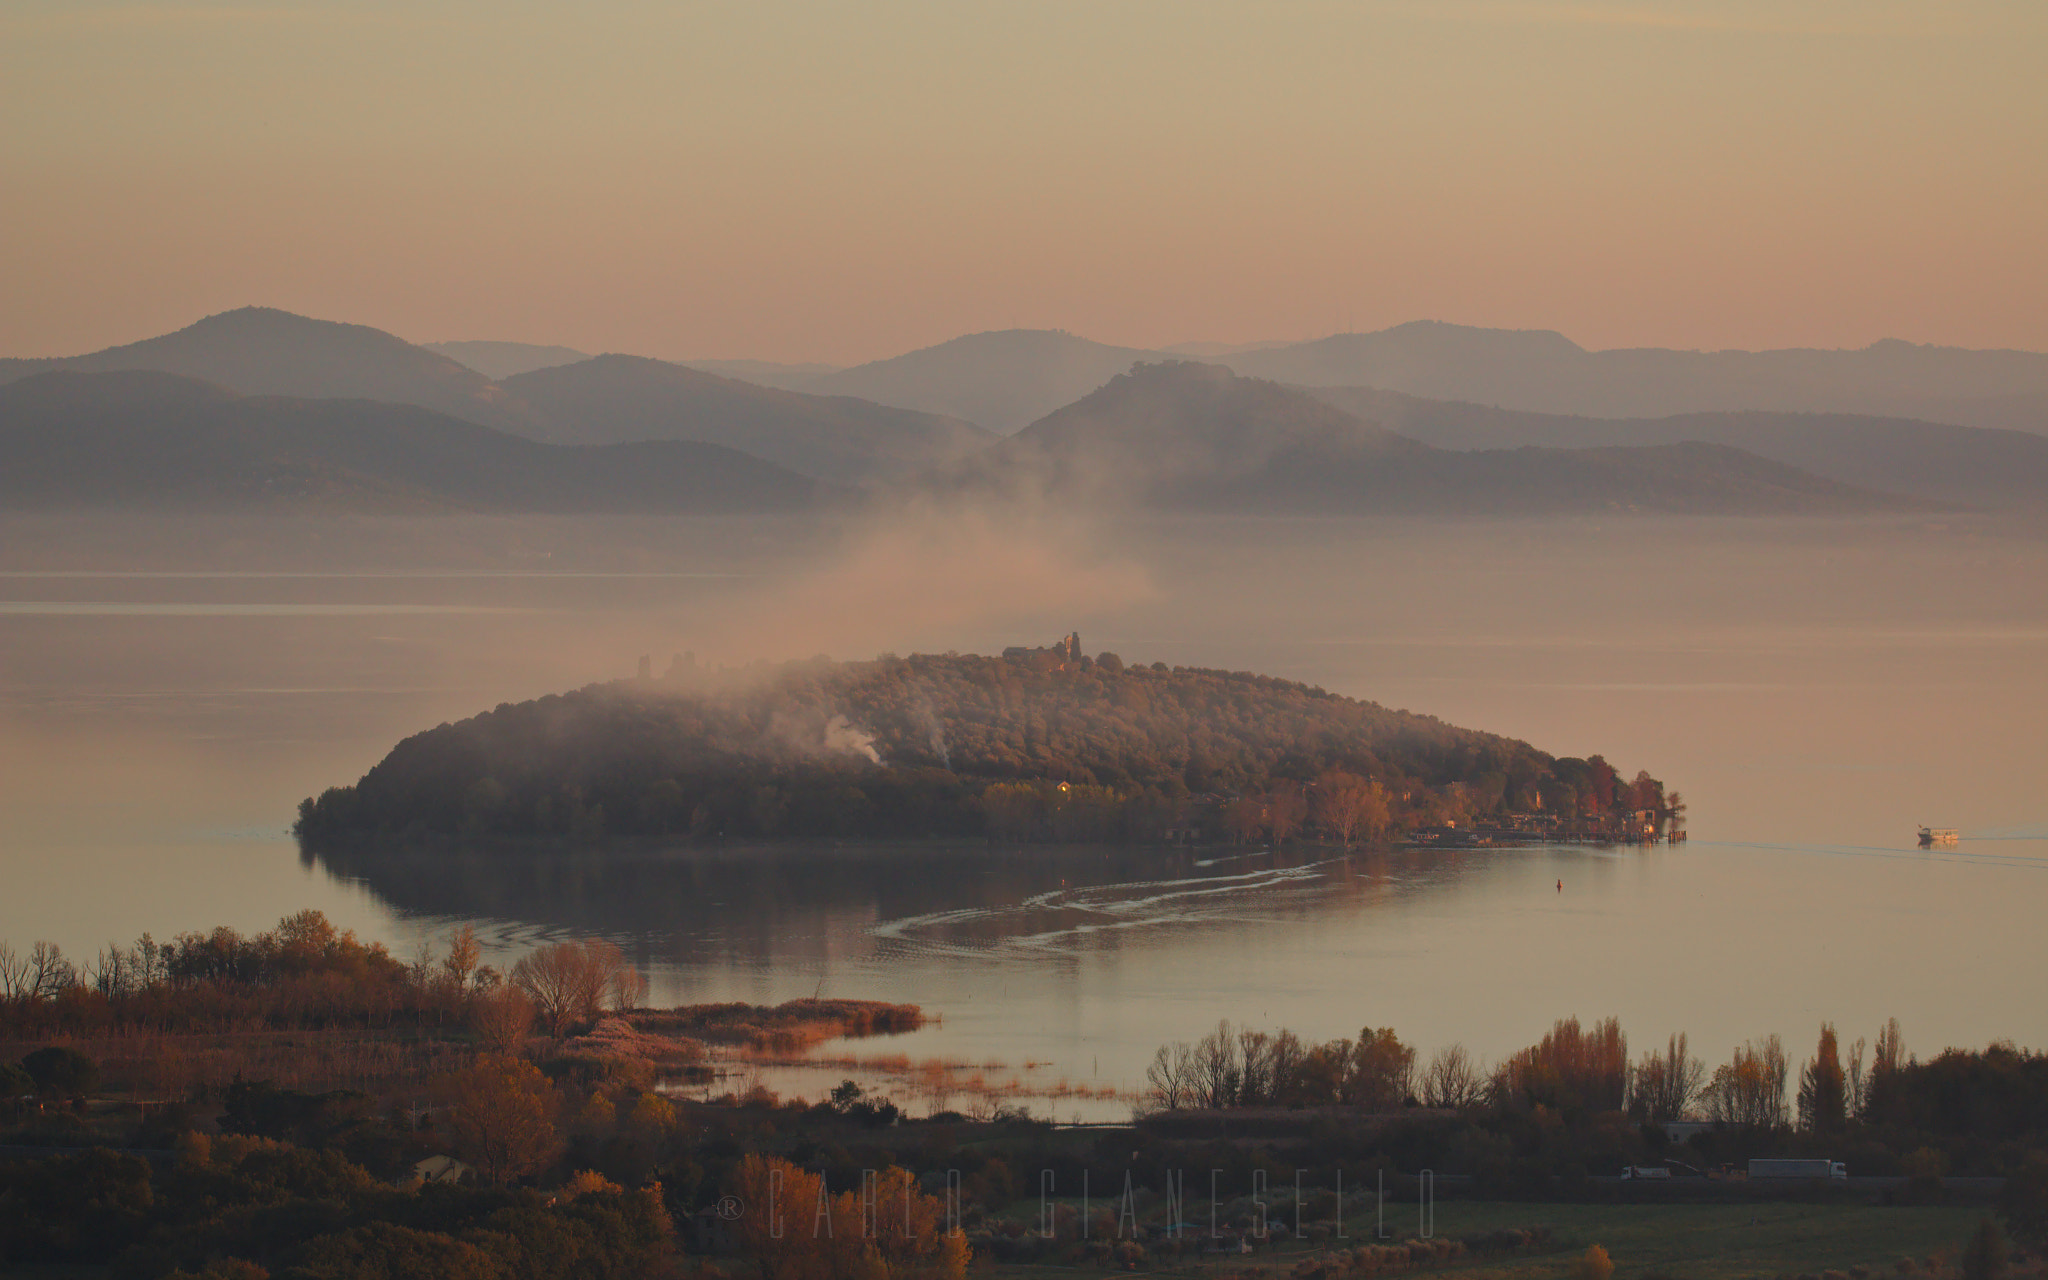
pixel 261 351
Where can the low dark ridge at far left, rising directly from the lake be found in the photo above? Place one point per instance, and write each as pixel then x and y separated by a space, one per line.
pixel 167 441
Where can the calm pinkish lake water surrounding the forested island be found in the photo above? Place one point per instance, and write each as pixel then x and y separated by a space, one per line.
pixel 1818 691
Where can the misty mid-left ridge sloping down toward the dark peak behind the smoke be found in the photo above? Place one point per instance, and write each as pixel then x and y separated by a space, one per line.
pixel 613 400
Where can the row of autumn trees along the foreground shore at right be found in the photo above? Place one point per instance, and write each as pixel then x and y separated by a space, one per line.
pixel 1578 1101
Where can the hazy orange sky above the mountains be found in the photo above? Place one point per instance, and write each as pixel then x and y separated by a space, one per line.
pixel 839 181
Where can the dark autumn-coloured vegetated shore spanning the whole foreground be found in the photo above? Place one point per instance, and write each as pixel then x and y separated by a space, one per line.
pixel 304 1105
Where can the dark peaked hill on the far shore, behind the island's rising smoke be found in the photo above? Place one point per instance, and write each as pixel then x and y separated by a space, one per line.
pixel 1199 437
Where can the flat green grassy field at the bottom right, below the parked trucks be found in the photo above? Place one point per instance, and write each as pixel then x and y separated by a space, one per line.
pixel 1684 1242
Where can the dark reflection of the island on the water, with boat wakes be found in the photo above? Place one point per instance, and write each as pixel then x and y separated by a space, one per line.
pixel 777 906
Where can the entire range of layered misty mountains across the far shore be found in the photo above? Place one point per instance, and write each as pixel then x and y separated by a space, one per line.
pixel 1388 421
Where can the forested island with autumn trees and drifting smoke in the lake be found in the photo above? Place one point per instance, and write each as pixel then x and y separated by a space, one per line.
pixel 1046 746
